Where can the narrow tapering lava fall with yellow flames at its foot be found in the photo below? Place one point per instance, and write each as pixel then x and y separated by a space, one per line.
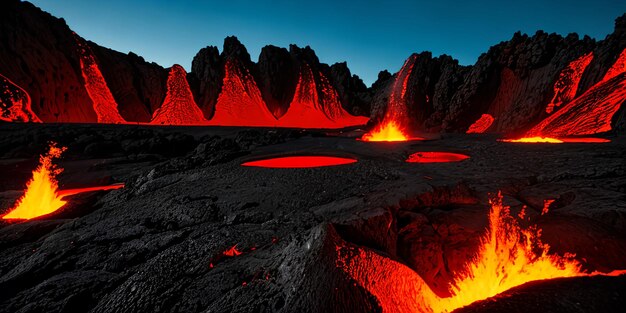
pixel 396 120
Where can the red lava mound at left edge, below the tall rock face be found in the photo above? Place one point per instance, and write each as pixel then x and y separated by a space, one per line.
pixel 15 103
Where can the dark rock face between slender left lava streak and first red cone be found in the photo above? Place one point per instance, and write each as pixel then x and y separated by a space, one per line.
pixel 137 86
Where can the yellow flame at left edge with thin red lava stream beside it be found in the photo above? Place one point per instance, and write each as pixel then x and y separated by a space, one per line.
pixel 42 195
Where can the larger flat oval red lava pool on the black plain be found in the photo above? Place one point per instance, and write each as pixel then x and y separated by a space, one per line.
pixel 300 162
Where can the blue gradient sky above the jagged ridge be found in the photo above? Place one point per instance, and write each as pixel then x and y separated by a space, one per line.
pixel 369 35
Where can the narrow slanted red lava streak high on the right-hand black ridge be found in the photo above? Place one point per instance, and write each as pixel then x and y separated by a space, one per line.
pixel 567 84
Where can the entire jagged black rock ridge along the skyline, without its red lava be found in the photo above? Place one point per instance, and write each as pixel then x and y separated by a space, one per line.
pixel 513 81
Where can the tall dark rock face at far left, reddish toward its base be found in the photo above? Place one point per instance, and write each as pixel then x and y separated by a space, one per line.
pixel 38 52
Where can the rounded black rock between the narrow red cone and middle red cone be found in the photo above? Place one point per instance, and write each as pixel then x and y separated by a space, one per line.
pixel 206 78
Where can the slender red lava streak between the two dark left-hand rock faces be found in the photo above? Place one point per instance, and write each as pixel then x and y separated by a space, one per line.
pixel 103 102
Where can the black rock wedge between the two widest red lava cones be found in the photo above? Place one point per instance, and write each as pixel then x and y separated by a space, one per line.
pixel 277 78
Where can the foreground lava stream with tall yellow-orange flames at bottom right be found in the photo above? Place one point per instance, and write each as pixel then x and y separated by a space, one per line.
pixel 508 256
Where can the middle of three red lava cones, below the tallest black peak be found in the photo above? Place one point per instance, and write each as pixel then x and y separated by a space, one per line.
pixel 240 102
